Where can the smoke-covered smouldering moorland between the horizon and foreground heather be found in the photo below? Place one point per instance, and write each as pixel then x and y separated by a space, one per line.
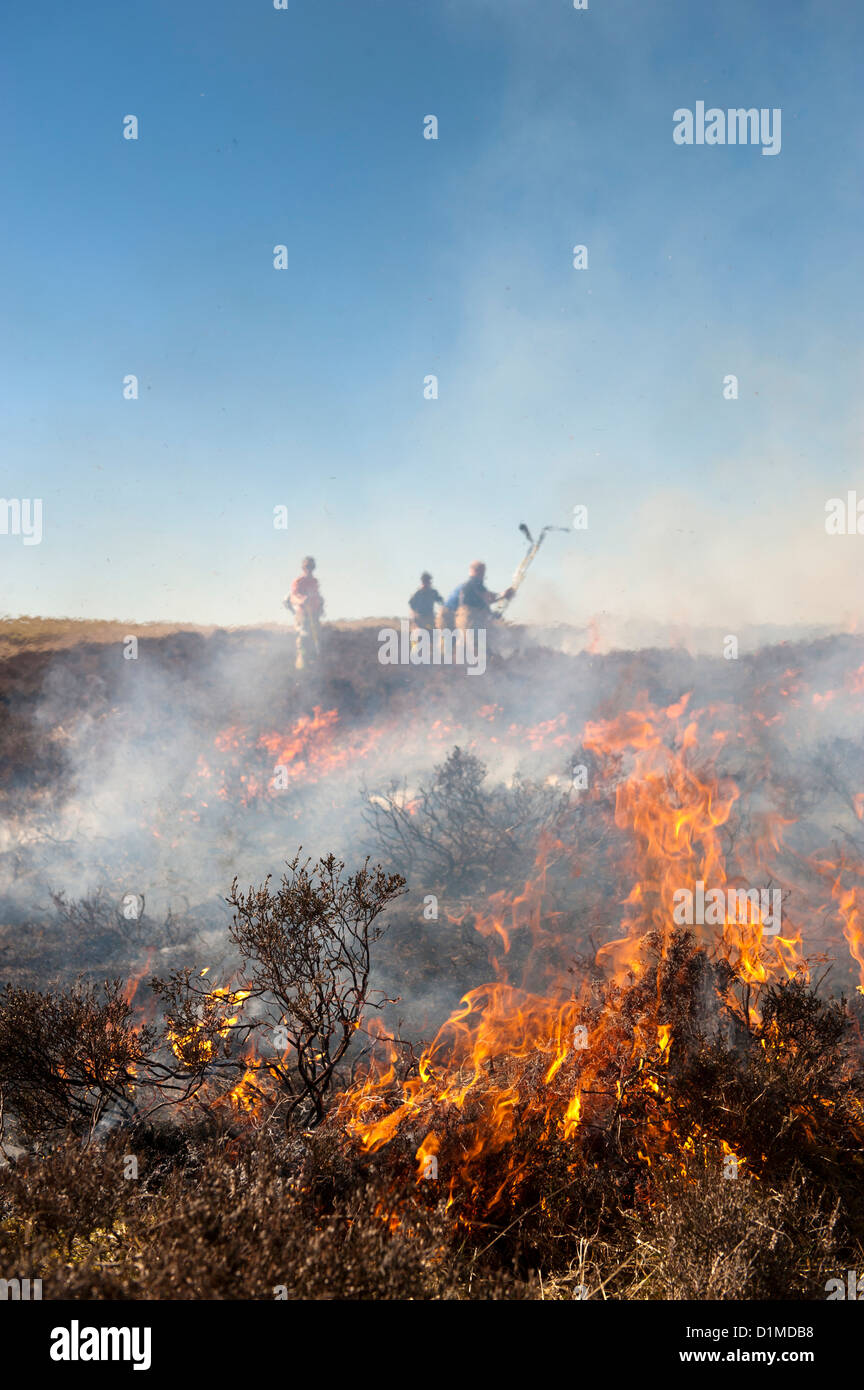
pixel 210 757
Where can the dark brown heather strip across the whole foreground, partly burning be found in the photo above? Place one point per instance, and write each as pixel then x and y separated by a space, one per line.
pixel 715 1159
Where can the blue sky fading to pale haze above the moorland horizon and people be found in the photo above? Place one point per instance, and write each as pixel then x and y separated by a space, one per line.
pixel 408 258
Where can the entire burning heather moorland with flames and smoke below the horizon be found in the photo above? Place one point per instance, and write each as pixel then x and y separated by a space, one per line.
pixel 545 985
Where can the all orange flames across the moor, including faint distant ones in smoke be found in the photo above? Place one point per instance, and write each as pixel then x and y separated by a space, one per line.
pixel 547 1049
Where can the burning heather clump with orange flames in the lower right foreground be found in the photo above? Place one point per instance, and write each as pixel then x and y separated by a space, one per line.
pixel 730 1113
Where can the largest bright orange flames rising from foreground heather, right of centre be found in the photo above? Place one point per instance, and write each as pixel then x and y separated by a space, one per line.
pixel 485 1063
